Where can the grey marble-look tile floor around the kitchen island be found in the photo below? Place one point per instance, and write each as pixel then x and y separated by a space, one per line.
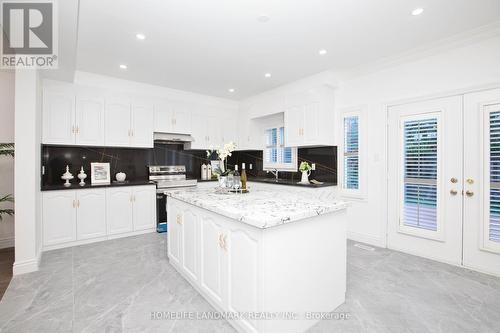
pixel 114 286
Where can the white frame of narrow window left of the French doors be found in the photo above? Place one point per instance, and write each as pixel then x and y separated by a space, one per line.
pixel 358 193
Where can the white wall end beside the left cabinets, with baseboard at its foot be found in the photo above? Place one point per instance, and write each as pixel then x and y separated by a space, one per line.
pixel 27 171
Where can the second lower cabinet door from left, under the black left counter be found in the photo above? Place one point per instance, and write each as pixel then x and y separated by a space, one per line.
pixel 90 213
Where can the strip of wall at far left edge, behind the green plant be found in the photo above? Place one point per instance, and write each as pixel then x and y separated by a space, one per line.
pixel 7 163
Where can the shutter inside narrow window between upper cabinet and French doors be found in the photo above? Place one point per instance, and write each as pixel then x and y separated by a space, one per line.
pixel 351 152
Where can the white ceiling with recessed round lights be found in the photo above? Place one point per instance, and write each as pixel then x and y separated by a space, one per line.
pixel 209 46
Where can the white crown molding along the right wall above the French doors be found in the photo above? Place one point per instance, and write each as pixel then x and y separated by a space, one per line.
pixel 456 41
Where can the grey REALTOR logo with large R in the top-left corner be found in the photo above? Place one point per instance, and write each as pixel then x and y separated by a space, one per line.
pixel 29 35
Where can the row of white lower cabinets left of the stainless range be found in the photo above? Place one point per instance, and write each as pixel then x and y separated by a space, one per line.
pixel 71 217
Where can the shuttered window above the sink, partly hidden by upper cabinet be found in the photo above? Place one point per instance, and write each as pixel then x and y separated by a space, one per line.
pixel 276 154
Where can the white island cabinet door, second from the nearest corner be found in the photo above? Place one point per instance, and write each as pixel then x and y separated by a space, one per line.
pixel 212 259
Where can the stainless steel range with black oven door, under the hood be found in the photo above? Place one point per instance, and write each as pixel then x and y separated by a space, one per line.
pixel 167 177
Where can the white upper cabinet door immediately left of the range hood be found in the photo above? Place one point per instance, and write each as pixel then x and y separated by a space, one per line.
pixel 141 125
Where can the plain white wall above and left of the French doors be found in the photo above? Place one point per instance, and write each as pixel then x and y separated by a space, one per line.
pixel 454 70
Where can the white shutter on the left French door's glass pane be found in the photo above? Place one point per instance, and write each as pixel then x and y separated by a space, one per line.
pixel 420 173
